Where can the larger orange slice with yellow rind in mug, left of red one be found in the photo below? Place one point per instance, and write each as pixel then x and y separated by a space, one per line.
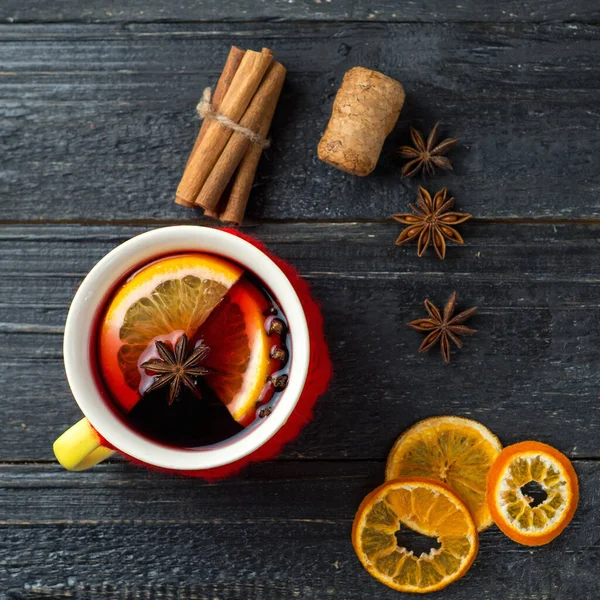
pixel 174 294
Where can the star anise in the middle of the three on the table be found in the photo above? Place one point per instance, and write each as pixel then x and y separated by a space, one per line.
pixel 432 222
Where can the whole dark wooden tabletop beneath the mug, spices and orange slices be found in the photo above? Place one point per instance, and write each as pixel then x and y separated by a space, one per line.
pixel 97 118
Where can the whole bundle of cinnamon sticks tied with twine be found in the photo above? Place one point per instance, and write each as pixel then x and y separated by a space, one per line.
pixel 229 145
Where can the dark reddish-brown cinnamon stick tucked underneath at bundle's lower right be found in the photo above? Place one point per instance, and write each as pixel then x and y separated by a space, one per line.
pixel 244 177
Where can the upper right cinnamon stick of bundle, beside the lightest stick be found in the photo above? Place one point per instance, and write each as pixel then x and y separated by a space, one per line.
pixel 257 117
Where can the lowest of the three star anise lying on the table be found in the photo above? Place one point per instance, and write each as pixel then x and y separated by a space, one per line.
pixel 443 328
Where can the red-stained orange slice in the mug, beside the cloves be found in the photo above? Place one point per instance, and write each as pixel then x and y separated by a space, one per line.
pixel 239 350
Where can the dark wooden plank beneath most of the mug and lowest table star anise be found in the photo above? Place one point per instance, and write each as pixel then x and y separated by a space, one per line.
pixel 532 370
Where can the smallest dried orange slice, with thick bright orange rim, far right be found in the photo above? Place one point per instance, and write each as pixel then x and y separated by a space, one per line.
pixel 529 521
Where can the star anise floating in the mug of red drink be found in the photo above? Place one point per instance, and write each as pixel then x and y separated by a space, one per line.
pixel 177 367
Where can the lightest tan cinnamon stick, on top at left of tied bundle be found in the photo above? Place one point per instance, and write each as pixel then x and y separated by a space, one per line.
pixel 244 85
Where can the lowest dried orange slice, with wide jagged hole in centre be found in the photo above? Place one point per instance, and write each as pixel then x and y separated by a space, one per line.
pixel 428 507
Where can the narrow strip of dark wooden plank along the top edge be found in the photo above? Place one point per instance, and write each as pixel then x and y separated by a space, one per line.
pixel 299 10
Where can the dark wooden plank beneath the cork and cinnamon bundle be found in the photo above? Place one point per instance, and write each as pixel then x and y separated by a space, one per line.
pixel 522 98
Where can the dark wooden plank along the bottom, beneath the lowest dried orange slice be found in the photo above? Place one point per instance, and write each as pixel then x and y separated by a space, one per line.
pixel 281 531
